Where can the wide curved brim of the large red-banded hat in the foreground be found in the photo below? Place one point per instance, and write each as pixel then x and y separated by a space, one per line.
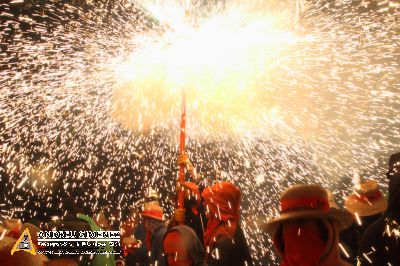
pixel 342 218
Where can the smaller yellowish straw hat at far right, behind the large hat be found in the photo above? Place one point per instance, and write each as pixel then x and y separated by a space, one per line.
pixel 366 200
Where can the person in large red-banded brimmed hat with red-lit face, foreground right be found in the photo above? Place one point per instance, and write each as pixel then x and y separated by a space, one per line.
pixel 307 231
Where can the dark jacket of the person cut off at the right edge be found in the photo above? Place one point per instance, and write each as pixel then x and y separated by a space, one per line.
pixel 381 234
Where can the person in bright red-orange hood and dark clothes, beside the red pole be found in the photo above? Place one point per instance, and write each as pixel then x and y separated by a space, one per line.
pixel 223 238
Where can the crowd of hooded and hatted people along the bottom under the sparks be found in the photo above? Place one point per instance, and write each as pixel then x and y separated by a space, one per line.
pixel 310 230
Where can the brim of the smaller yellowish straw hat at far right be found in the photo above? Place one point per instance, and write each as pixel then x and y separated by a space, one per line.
pixel 354 205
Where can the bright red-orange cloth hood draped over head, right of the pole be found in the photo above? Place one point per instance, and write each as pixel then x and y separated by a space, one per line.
pixel 223 204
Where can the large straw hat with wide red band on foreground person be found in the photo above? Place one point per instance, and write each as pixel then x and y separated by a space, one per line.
pixel 307 201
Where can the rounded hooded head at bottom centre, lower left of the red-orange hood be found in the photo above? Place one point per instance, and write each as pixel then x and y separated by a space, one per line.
pixel 183 239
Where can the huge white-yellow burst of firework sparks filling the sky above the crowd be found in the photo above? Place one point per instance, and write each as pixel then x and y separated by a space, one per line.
pixel 276 94
